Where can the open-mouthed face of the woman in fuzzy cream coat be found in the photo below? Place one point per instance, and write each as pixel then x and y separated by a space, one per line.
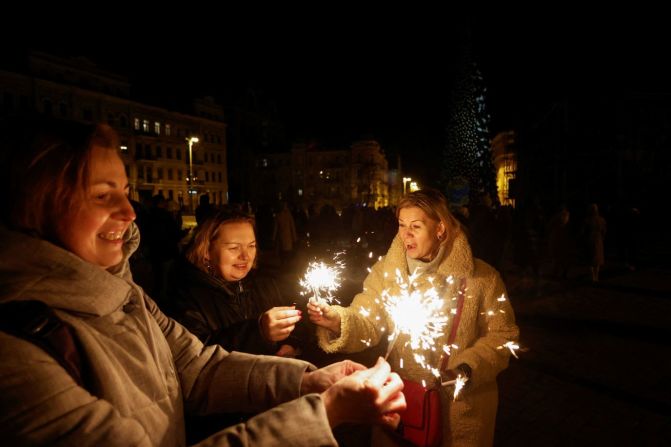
pixel 419 233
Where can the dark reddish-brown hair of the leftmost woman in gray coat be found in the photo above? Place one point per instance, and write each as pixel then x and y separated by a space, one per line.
pixel 45 165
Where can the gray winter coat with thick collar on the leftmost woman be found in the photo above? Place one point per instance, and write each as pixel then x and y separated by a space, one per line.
pixel 144 369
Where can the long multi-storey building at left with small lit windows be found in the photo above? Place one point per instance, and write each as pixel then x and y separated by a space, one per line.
pixel 153 140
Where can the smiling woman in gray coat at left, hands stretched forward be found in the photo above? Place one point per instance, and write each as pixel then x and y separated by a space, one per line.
pixel 66 234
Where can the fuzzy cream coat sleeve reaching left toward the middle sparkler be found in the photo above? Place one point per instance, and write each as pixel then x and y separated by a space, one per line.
pixel 358 331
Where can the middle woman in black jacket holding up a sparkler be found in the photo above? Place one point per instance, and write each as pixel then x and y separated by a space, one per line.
pixel 220 301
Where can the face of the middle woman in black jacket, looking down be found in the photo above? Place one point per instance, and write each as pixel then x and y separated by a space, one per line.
pixel 233 251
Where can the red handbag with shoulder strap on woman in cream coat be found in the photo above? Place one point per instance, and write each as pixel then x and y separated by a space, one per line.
pixel 422 419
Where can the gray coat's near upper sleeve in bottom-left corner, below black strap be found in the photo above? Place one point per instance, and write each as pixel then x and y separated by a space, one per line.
pixel 41 404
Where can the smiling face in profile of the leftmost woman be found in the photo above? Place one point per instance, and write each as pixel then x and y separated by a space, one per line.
pixel 94 228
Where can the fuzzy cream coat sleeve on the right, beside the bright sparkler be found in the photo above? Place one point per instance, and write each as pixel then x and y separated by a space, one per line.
pixel 485 327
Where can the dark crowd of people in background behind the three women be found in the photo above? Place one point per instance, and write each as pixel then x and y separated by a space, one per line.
pixel 531 240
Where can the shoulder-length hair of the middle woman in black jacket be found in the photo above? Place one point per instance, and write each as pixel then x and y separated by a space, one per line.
pixel 198 250
